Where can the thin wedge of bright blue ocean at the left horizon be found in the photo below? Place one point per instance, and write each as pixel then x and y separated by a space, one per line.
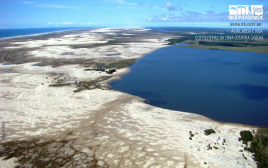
pixel 5 33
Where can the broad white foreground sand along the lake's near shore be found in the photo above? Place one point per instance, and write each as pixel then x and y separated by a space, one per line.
pixel 157 136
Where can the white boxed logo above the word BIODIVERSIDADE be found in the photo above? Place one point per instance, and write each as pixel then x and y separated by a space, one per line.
pixel 245 12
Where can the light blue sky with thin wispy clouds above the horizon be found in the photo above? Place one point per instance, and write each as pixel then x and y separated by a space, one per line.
pixel 101 13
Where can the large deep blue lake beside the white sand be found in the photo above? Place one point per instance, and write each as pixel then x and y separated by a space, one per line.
pixel 227 86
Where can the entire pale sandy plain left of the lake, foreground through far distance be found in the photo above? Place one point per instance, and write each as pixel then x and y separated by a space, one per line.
pixel 103 127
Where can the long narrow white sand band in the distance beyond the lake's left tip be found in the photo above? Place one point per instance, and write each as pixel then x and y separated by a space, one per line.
pixel 126 50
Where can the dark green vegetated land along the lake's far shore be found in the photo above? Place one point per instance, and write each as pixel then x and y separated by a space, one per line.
pixel 249 45
